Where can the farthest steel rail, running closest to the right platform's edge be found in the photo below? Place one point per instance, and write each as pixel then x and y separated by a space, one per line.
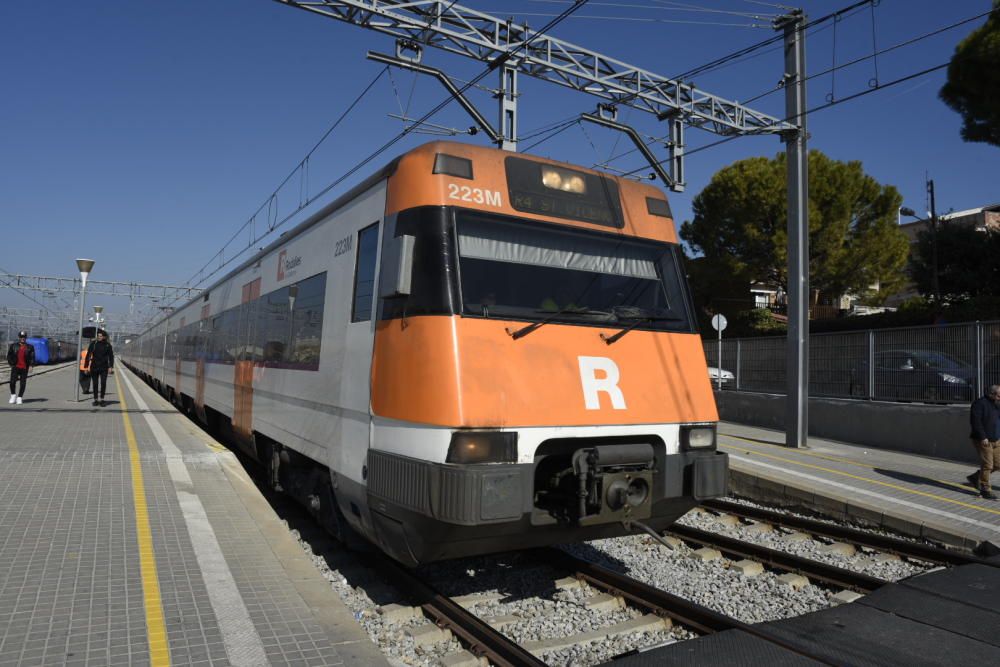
pixel 852 535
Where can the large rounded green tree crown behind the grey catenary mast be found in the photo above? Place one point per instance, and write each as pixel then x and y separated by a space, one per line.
pixel 740 223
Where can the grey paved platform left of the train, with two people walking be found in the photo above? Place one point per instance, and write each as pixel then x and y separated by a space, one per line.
pixel 130 537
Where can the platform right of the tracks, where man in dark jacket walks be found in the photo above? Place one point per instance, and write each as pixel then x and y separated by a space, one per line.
pixel 909 494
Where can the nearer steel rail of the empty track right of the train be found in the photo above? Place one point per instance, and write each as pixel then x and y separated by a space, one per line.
pixel 829 574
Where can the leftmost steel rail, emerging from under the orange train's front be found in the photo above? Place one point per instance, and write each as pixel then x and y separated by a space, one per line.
pixel 479 637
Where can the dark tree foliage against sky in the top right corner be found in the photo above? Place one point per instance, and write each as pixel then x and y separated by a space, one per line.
pixel 973 86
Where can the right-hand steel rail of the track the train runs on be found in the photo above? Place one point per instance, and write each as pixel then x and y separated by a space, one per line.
pixel 661 603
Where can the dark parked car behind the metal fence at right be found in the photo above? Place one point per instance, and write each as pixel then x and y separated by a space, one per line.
pixel 919 375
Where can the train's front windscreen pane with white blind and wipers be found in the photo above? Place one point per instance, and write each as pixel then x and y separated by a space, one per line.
pixel 528 270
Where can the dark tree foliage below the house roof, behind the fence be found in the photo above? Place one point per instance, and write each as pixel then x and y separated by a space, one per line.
pixel 968 262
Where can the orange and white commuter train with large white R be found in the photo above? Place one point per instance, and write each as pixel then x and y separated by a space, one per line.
pixel 471 351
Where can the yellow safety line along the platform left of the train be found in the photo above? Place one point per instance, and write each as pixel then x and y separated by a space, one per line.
pixel 159 649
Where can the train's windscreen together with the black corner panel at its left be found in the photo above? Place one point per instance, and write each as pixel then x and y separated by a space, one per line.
pixel 487 265
